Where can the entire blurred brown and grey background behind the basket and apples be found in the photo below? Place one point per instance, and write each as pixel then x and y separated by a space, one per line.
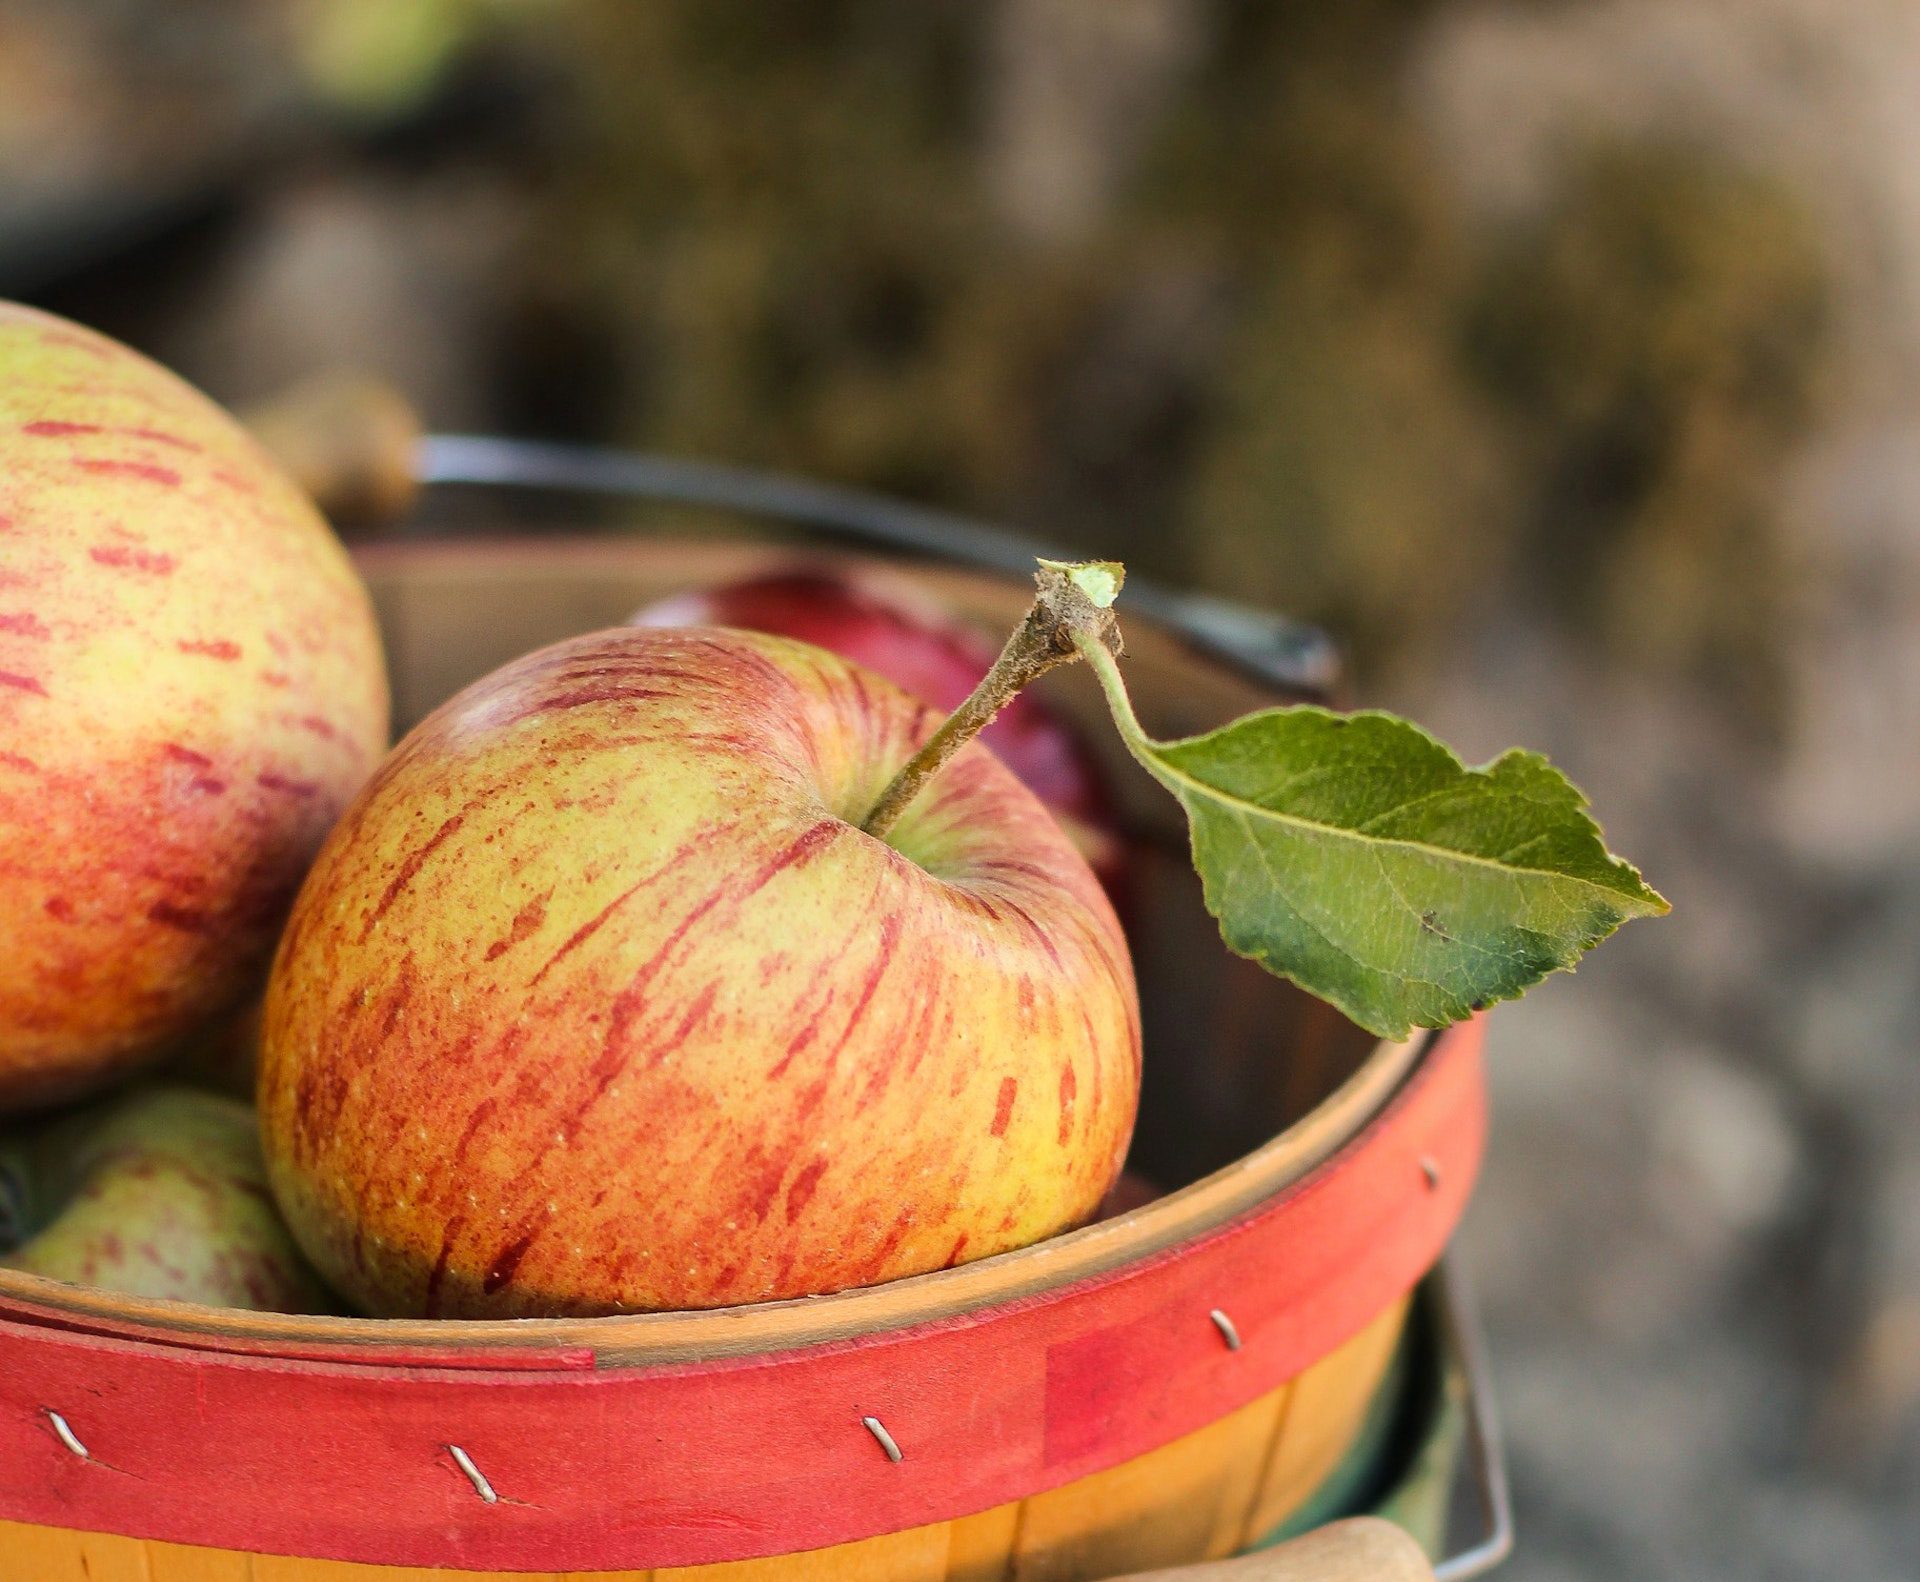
pixel 1560 356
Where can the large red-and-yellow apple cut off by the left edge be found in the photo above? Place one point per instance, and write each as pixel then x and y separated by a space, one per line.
pixel 191 690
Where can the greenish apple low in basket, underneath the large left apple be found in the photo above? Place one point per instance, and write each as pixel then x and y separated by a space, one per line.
pixel 160 1193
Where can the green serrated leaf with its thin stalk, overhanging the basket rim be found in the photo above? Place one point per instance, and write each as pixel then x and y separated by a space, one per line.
pixel 1358 857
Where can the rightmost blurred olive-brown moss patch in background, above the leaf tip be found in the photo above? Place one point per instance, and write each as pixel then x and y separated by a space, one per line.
pixel 1660 341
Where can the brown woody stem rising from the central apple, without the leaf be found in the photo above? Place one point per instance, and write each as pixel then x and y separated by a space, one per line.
pixel 1072 604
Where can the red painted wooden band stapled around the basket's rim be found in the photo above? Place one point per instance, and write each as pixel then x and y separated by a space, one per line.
pixel 627 1468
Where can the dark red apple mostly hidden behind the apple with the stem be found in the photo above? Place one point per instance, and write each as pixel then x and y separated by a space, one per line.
pixel 896 629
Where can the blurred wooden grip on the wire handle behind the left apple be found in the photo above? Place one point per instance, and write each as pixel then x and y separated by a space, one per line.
pixel 348 441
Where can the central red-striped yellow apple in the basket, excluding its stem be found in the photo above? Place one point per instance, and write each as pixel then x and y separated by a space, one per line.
pixel 596 1001
